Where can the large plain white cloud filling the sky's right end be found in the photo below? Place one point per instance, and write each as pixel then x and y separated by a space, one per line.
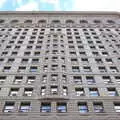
pixel 96 5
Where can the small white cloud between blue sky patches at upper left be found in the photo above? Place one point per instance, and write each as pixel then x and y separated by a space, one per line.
pixel 28 7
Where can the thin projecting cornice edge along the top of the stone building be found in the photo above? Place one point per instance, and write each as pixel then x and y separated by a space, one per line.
pixel 60 12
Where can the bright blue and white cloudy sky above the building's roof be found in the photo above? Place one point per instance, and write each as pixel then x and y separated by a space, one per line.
pixel 60 5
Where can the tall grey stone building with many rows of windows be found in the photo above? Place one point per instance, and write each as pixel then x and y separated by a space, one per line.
pixel 59 66
